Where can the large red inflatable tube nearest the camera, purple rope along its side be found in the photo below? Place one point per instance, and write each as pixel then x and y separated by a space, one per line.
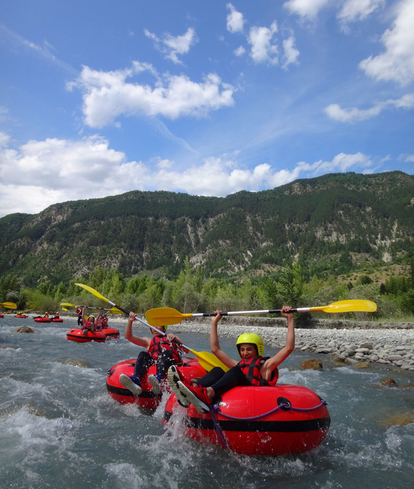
pixel 284 431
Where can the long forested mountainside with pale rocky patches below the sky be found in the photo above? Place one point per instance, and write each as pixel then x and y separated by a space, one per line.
pixel 329 224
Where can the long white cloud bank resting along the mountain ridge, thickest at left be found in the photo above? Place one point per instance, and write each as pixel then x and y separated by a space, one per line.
pixel 41 173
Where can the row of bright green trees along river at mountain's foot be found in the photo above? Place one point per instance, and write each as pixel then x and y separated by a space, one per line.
pixel 193 292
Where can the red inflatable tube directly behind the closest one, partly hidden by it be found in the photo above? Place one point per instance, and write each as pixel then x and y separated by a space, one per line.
pixel 188 370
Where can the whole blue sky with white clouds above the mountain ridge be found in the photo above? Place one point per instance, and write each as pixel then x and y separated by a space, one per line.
pixel 101 97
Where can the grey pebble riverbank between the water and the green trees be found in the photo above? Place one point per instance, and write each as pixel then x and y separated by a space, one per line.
pixel 359 343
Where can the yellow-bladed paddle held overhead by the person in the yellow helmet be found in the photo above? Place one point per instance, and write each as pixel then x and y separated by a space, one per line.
pixel 166 315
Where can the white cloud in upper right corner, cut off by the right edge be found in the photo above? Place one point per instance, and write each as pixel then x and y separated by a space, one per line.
pixel 397 62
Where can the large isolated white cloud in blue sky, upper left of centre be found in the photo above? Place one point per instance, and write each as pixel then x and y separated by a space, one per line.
pixel 107 95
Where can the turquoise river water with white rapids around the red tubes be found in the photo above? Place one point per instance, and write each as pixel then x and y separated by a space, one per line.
pixel 60 428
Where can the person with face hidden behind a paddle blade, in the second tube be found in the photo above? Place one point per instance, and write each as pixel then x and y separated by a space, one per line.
pixel 162 350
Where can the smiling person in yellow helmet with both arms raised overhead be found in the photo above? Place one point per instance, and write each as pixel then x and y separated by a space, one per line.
pixel 253 369
